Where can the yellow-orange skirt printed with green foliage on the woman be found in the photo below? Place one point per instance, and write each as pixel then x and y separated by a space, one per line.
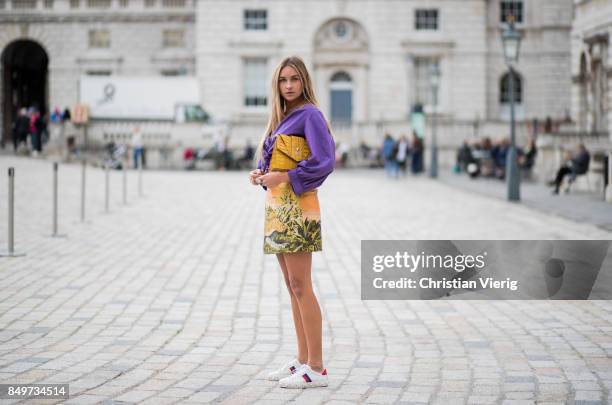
pixel 293 223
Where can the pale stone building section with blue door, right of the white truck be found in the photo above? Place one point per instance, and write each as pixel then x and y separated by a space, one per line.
pixel 370 61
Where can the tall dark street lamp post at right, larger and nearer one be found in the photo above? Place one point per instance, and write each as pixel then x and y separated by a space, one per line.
pixel 511 39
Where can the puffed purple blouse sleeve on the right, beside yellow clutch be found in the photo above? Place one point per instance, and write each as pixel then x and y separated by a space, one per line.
pixel 310 173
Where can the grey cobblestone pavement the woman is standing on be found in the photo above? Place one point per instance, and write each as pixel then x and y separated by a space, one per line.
pixel 170 300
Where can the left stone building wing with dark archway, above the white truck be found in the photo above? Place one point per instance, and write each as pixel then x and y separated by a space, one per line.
pixel 47 45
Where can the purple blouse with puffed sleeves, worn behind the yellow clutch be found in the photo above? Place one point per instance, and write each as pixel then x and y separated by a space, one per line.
pixel 309 122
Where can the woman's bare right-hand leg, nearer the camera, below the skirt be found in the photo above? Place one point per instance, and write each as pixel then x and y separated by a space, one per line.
pixel 299 270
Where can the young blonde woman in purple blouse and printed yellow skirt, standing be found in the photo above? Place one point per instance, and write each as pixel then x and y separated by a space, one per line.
pixel 293 223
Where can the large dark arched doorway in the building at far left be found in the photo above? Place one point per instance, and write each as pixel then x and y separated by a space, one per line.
pixel 24 81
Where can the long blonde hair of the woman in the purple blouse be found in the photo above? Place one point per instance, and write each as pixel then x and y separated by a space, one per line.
pixel 278 107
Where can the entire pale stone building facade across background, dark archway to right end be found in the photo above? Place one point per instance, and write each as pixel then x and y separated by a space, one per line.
pixel 370 59
